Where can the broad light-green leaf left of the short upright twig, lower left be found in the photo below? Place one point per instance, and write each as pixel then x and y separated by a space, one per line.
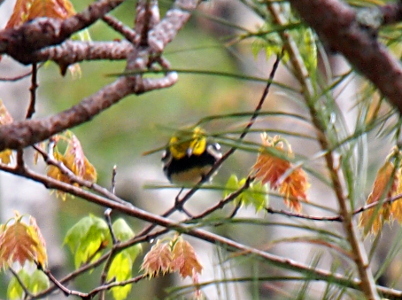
pixel 87 238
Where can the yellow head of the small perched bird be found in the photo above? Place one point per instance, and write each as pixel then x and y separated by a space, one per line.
pixel 188 143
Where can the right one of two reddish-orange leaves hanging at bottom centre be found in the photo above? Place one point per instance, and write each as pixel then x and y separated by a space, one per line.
pixel 184 259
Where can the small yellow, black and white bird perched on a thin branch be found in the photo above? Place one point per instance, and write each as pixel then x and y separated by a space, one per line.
pixel 190 156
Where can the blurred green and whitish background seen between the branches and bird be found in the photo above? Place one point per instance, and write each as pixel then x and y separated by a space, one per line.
pixel 138 124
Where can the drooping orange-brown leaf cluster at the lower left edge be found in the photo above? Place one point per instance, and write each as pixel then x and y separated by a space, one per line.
pixel 20 243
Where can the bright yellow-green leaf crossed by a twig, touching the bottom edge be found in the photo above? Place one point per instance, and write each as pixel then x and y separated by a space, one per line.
pixel 120 270
